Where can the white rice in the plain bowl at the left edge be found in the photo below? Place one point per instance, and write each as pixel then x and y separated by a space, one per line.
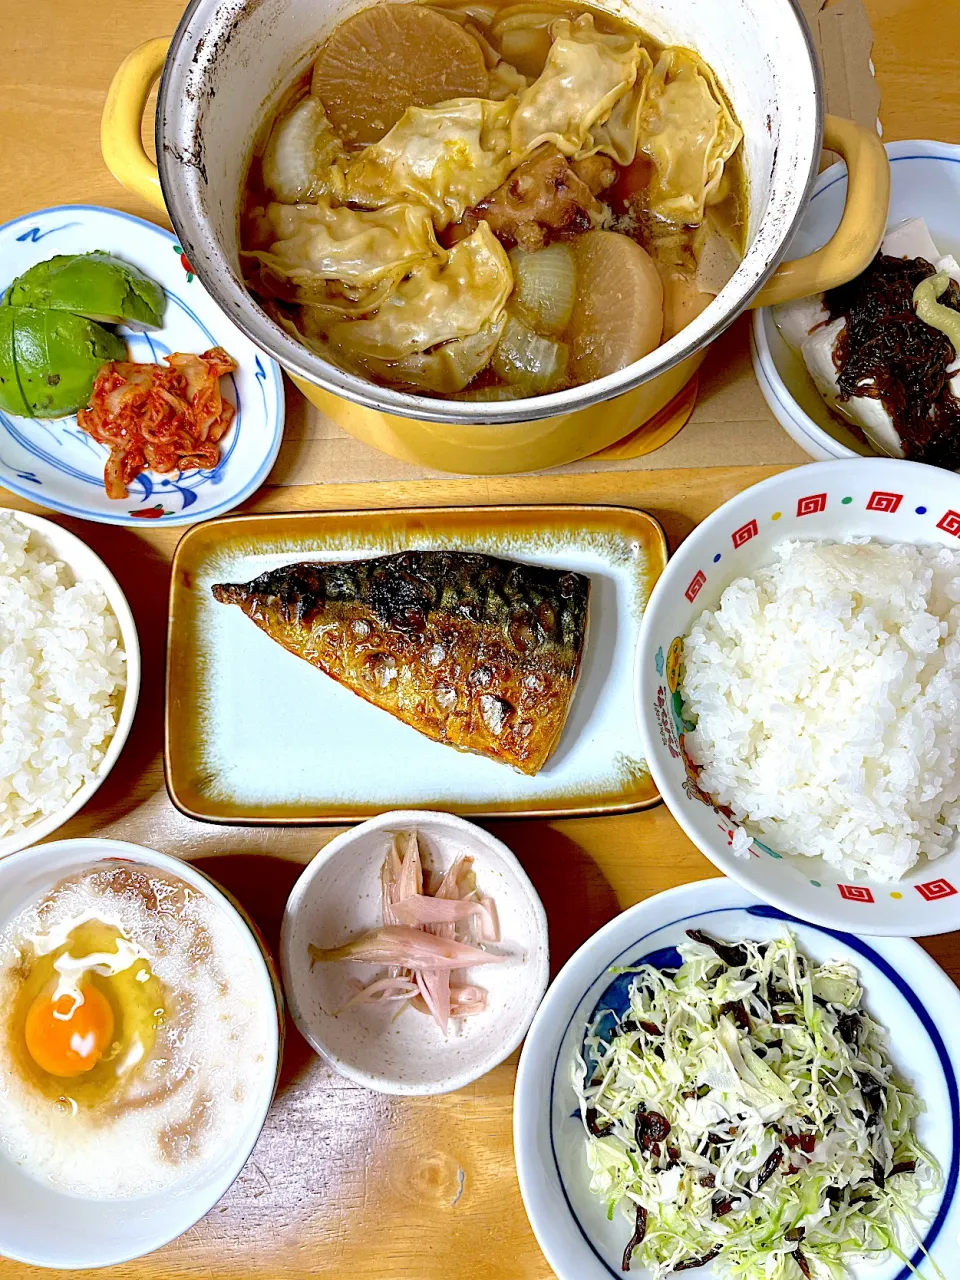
pixel 62 676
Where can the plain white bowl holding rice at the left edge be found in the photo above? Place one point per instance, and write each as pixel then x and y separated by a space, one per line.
pixel 85 564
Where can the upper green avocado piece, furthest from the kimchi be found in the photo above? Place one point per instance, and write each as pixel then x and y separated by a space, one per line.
pixel 97 286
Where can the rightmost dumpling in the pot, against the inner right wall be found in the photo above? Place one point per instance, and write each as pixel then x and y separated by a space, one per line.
pixel 689 134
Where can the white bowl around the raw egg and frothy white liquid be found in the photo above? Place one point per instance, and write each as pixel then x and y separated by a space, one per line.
pixel 52 1229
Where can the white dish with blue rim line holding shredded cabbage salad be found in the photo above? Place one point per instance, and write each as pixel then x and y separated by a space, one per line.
pixel 906 991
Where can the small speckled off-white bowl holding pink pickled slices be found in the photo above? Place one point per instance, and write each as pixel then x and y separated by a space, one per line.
pixel 339 897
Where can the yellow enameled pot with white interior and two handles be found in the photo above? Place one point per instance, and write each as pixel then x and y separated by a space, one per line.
pixel 226 68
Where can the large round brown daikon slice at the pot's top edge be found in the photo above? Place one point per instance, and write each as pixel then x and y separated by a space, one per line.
pixel 386 60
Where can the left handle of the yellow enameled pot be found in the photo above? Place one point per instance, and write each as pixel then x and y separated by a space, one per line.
pixel 121 140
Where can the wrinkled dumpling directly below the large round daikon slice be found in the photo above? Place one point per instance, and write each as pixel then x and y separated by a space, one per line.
pixel 449 157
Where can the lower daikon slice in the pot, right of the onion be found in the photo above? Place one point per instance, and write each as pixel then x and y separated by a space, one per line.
pixel 619 312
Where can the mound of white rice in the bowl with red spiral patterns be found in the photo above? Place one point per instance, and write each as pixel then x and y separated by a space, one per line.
pixel 826 692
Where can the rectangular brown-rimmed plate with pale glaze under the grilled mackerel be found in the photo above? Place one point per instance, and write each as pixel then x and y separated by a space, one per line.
pixel 257 735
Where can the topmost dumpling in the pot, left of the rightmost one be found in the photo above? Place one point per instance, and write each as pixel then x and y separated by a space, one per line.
pixel 586 76
